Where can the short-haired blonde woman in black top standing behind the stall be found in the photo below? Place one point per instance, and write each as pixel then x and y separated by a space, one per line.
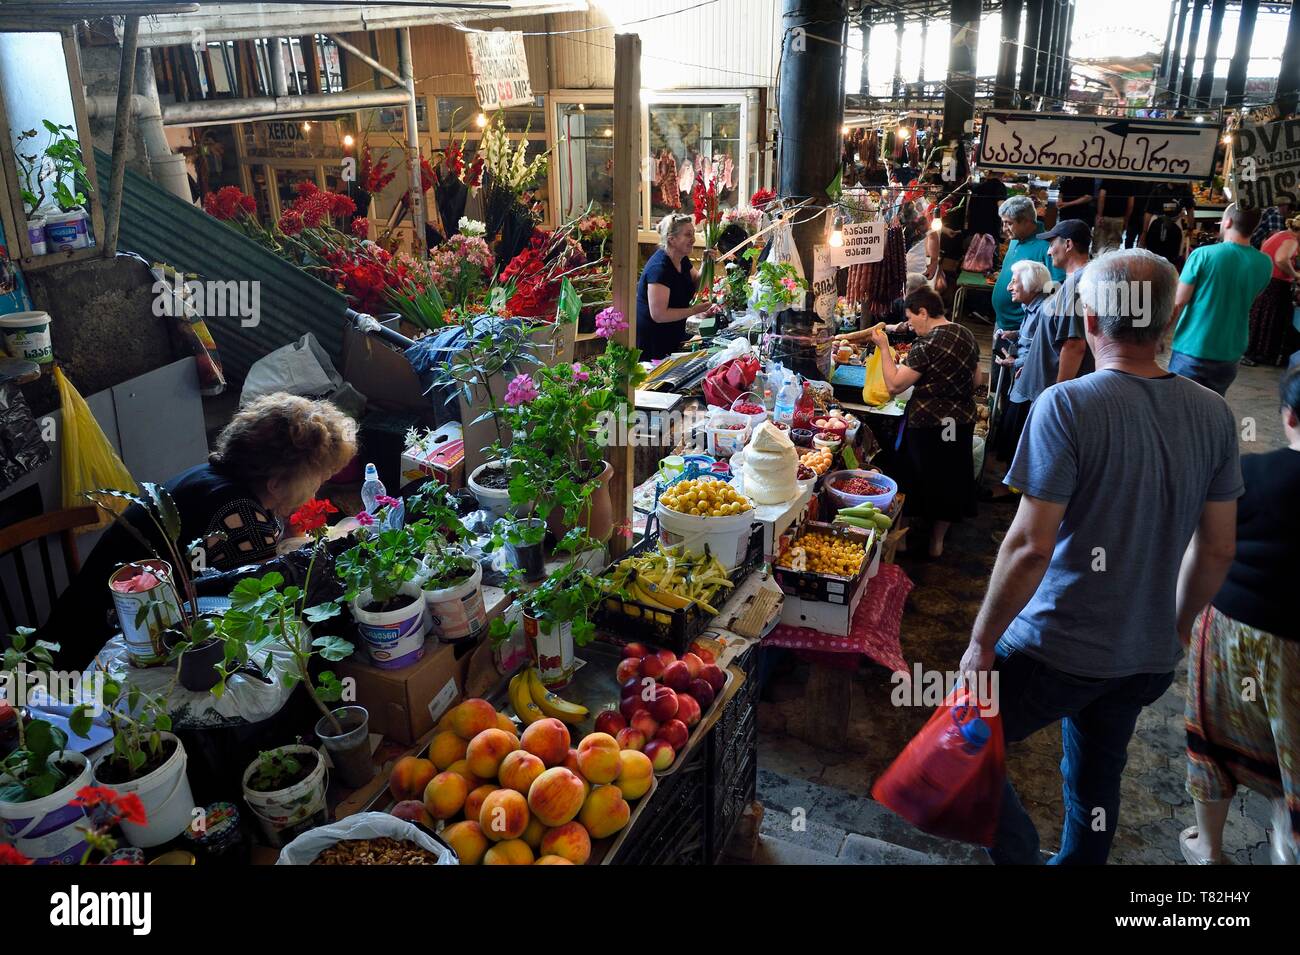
pixel 666 289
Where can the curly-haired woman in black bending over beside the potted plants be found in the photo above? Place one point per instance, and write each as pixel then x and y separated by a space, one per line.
pixel 268 462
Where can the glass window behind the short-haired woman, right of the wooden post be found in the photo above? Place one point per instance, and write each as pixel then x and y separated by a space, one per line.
pixel 690 141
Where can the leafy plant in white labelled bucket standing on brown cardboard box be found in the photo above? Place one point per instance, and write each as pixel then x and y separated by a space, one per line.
pixel 380 578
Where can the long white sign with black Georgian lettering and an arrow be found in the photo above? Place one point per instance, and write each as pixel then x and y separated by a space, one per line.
pixel 1104 147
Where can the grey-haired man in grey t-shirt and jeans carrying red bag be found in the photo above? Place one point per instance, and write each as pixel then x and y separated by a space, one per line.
pixel 1095 589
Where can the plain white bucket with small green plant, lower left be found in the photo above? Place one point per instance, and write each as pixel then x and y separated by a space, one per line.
pixel 146 759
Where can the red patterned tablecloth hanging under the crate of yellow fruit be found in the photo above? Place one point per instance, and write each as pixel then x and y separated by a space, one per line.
pixel 874 632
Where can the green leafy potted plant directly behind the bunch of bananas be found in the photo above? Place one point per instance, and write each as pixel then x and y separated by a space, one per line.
pixel 557 618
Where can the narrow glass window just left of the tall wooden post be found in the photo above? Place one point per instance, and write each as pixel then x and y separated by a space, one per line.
pixel 584 158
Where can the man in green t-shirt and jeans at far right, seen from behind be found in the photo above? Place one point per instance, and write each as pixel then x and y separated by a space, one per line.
pixel 1212 311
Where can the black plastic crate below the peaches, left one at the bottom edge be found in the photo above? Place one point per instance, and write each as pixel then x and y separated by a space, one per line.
pixel 675 830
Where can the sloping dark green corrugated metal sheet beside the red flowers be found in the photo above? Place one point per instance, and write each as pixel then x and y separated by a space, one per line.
pixel 164 229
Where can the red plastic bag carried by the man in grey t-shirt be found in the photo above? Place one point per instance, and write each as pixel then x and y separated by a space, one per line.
pixel 943 783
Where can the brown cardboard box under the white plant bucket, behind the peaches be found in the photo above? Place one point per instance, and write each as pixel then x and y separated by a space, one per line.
pixel 406 704
